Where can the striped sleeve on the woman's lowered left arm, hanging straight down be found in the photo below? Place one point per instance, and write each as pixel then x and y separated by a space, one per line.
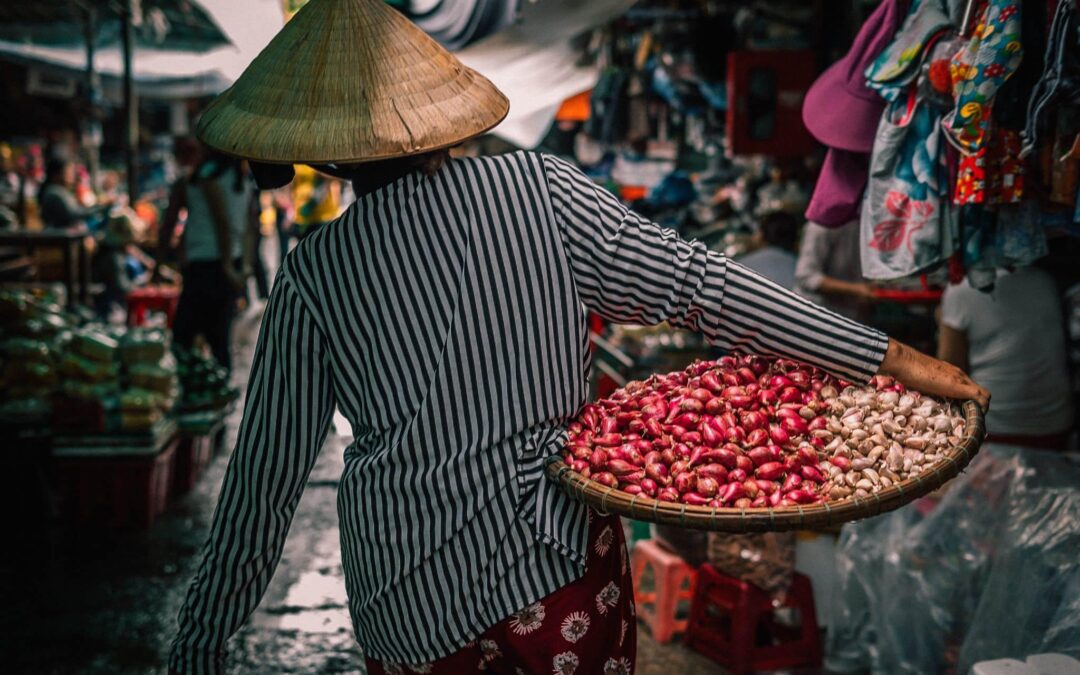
pixel 287 416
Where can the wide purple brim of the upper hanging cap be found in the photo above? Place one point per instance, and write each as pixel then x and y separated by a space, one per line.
pixel 838 118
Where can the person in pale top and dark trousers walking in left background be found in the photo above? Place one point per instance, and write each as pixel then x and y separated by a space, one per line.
pixel 218 197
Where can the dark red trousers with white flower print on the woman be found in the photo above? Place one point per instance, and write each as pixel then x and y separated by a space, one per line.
pixel 587 628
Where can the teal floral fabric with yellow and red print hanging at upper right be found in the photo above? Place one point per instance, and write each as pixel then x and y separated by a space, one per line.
pixel 979 71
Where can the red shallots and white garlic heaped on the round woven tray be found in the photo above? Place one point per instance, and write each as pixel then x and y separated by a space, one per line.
pixel 754 433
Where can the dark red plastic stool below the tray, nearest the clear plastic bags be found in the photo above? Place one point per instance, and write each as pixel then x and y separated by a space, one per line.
pixel 734 624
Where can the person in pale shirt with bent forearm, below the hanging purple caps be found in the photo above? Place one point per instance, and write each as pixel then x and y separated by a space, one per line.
pixel 829 271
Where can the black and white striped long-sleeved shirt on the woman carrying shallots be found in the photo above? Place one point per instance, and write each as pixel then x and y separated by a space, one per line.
pixel 447 317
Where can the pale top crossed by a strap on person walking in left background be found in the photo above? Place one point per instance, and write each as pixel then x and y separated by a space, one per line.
pixel 200 240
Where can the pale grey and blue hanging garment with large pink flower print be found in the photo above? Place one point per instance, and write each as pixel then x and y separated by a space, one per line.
pixel 907 225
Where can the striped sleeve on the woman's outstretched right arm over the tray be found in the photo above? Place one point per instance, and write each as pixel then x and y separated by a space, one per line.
pixel 631 271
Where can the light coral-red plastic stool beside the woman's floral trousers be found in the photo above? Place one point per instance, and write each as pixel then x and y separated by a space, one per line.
pixel 659 609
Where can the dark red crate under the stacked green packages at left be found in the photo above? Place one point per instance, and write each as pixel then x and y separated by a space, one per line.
pixel 116 480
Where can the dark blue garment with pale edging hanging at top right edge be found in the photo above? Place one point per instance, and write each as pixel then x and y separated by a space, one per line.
pixel 1061 78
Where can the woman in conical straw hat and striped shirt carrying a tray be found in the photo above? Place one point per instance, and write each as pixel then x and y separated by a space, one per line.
pixel 444 314
